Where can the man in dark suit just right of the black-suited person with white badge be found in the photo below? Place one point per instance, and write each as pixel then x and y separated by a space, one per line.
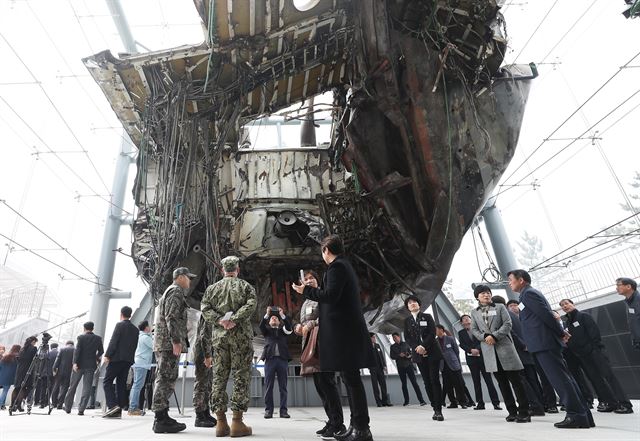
pixel 451 369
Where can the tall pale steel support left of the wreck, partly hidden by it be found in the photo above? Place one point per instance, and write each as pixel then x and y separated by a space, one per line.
pixel 102 292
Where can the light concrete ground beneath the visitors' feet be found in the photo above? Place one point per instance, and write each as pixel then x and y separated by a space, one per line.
pixel 390 423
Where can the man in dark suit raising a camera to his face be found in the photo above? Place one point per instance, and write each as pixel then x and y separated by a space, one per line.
pixel 276 328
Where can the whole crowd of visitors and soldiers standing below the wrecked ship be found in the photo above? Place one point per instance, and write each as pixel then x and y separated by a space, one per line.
pixel 535 355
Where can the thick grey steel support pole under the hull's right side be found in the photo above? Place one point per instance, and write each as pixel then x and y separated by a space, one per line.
pixel 499 241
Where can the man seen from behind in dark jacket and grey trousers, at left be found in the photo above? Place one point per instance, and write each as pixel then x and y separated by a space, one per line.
pixel 86 357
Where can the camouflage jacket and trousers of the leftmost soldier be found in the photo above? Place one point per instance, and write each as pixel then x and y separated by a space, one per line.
pixel 170 327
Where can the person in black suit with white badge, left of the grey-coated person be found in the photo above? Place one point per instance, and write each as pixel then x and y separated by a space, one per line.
pixel 420 332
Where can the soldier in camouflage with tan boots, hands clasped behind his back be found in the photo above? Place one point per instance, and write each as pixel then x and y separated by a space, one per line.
pixel 228 306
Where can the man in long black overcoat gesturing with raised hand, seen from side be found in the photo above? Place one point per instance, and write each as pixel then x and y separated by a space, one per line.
pixel 343 337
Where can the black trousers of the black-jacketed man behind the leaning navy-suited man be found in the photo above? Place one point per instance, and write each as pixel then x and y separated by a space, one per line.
pixel 598 369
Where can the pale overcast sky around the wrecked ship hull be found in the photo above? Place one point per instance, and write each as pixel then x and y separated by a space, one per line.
pixel 48 103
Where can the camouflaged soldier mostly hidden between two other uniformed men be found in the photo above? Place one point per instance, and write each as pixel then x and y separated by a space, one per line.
pixel 202 359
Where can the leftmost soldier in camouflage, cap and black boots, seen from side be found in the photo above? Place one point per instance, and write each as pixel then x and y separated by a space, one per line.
pixel 170 342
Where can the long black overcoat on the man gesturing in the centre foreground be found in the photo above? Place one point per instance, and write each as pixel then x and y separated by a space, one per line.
pixel 343 337
